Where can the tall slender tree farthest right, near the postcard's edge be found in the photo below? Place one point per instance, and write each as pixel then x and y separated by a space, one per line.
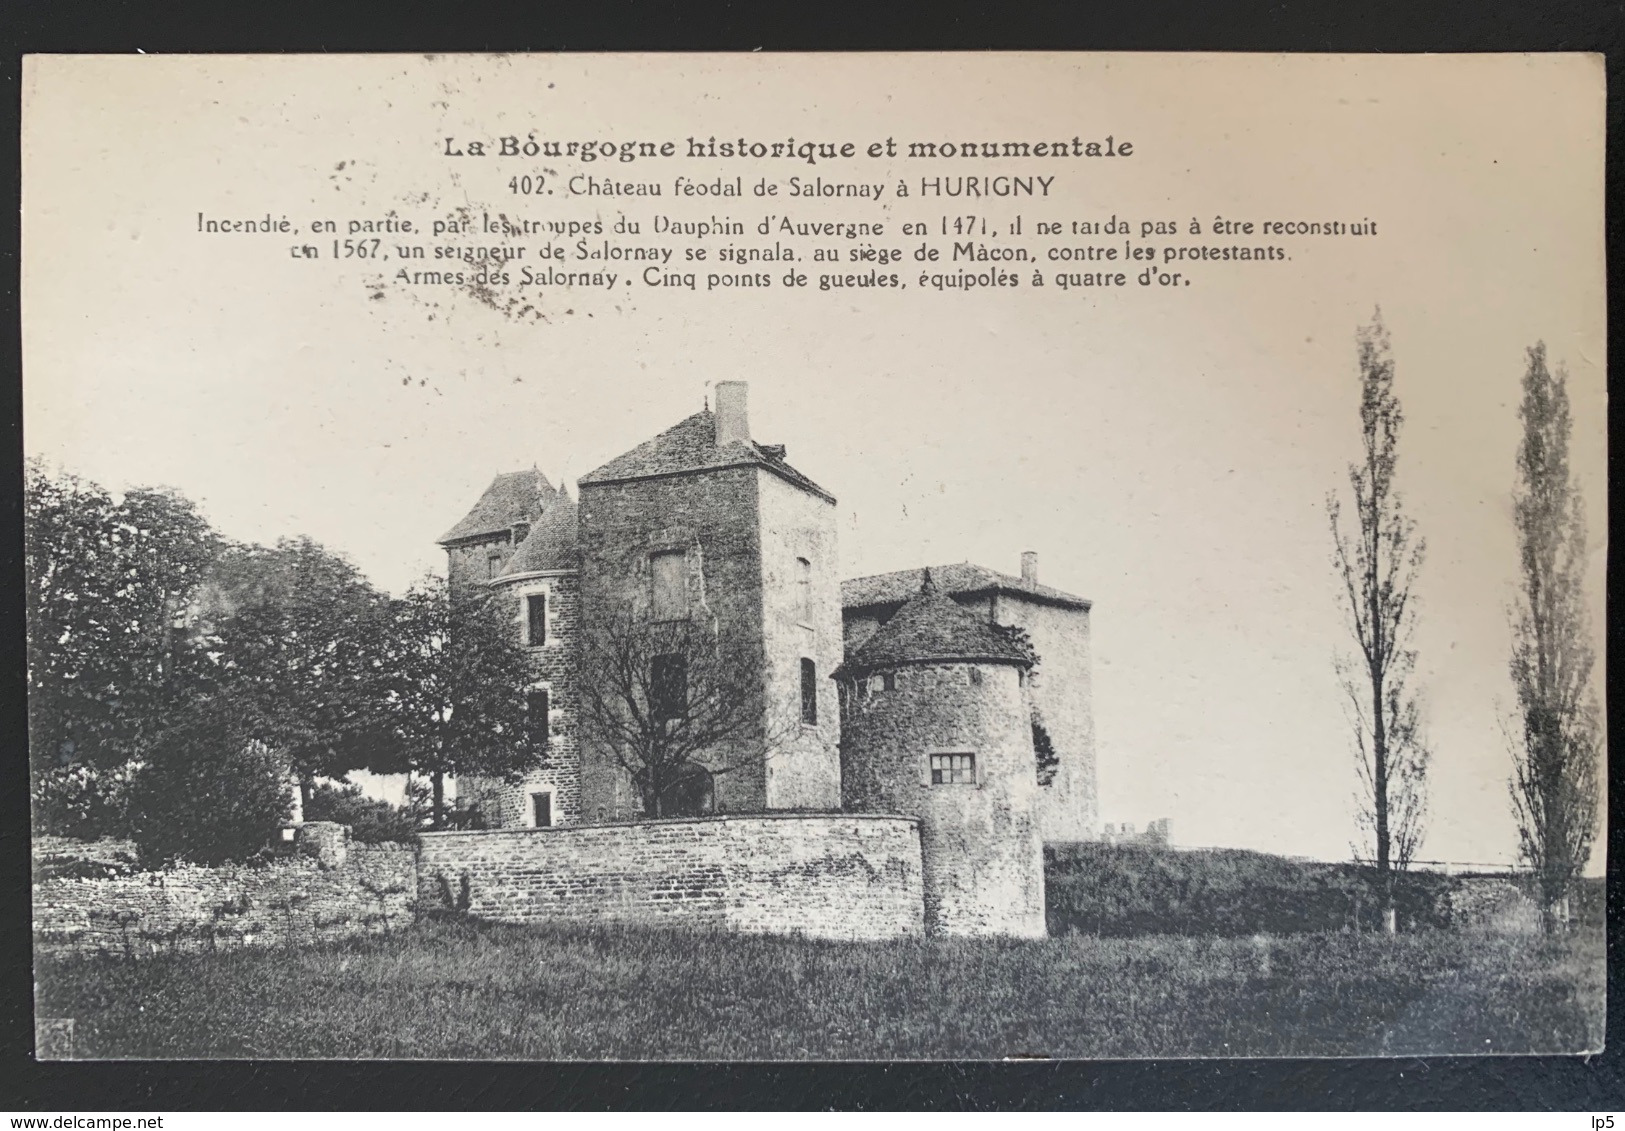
pixel 1554 784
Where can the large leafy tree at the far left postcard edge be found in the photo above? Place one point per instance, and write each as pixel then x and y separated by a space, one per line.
pixel 108 583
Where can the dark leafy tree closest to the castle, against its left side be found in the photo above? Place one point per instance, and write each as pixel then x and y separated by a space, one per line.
pixel 459 678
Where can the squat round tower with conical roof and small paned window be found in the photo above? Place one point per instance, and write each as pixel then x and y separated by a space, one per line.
pixel 937 724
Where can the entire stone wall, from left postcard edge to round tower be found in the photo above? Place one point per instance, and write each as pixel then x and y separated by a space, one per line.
pixel 821 875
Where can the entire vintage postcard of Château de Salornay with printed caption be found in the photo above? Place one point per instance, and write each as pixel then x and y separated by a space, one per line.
pixel 815 557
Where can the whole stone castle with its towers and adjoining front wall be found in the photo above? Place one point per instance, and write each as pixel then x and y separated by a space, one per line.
pixel 948 703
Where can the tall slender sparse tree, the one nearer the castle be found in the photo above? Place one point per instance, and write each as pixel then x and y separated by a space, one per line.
pixel 1379 565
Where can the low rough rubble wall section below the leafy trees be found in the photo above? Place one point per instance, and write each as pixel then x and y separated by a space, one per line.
pixel 366 890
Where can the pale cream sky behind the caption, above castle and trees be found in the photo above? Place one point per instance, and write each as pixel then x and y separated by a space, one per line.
pixel 1166 451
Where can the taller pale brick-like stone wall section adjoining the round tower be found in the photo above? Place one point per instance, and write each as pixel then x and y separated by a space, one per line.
pixel 838 877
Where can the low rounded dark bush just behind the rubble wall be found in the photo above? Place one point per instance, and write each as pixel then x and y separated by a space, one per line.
pixel 207 791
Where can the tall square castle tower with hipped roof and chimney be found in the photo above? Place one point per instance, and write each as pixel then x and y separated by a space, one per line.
pixel 704 527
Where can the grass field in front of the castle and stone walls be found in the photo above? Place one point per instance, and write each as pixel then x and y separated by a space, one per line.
pixel 464 990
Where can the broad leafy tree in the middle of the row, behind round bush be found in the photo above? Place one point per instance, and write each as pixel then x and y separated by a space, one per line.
pixel 300 635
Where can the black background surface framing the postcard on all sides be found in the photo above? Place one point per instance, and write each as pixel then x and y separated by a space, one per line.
pixel 1595 1085
